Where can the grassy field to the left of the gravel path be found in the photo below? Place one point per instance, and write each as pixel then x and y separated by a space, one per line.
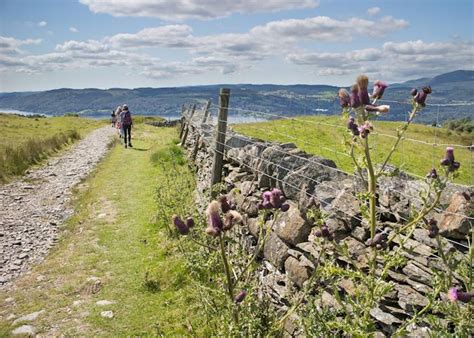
pixel 26 141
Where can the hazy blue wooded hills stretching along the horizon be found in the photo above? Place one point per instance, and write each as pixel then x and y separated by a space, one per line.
pixel 289 100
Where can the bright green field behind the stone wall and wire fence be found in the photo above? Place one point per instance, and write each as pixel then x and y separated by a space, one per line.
pixel 310 134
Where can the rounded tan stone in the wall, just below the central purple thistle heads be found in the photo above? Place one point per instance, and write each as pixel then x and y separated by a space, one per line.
pixel 291 227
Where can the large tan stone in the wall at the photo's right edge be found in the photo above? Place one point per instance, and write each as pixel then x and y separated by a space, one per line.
pixel 454 222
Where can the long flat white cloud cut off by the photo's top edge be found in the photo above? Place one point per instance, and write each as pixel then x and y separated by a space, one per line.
pixel 178 10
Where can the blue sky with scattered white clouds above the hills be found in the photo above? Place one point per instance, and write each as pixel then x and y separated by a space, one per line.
pixel 48 44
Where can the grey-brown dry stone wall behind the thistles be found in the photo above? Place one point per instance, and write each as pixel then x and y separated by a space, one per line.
pixel 289 254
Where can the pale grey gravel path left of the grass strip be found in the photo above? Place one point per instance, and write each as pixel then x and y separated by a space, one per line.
pixel 33 208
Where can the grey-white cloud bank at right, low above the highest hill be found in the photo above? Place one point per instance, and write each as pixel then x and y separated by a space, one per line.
pixel 392 60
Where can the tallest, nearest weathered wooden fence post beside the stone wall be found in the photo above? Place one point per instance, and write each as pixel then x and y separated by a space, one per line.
pixel 218 163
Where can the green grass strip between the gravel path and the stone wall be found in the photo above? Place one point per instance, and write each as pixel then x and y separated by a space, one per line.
pixel 113 236
